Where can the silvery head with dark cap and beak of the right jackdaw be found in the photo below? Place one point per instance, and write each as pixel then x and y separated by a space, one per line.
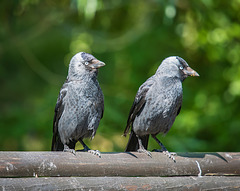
pixel 175 66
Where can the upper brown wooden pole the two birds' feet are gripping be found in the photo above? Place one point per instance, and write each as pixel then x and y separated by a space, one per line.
pixel 29 164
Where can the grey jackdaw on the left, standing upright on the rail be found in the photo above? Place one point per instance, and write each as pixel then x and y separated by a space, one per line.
pixel 80 105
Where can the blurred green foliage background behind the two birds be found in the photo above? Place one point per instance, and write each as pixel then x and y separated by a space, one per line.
pixel 38 39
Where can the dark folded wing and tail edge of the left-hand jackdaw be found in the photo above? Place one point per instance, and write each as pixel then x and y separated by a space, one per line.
pixel 58 113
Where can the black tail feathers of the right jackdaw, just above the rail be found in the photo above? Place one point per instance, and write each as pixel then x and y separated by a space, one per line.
pixel 133 144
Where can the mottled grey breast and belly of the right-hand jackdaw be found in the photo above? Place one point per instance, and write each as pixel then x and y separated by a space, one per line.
pixel 160 110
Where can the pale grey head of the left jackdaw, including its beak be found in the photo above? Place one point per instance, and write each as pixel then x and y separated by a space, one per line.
pixel 83 64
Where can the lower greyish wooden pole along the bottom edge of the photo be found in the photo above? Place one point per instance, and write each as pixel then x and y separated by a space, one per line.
pixel 121 183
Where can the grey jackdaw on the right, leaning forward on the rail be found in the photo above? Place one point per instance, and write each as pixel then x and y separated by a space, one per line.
pixel 157 103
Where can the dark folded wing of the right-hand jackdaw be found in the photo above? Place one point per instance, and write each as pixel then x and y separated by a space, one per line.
pixel 138 103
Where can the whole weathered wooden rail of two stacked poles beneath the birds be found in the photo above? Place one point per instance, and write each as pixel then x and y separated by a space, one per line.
pixel 121 171
